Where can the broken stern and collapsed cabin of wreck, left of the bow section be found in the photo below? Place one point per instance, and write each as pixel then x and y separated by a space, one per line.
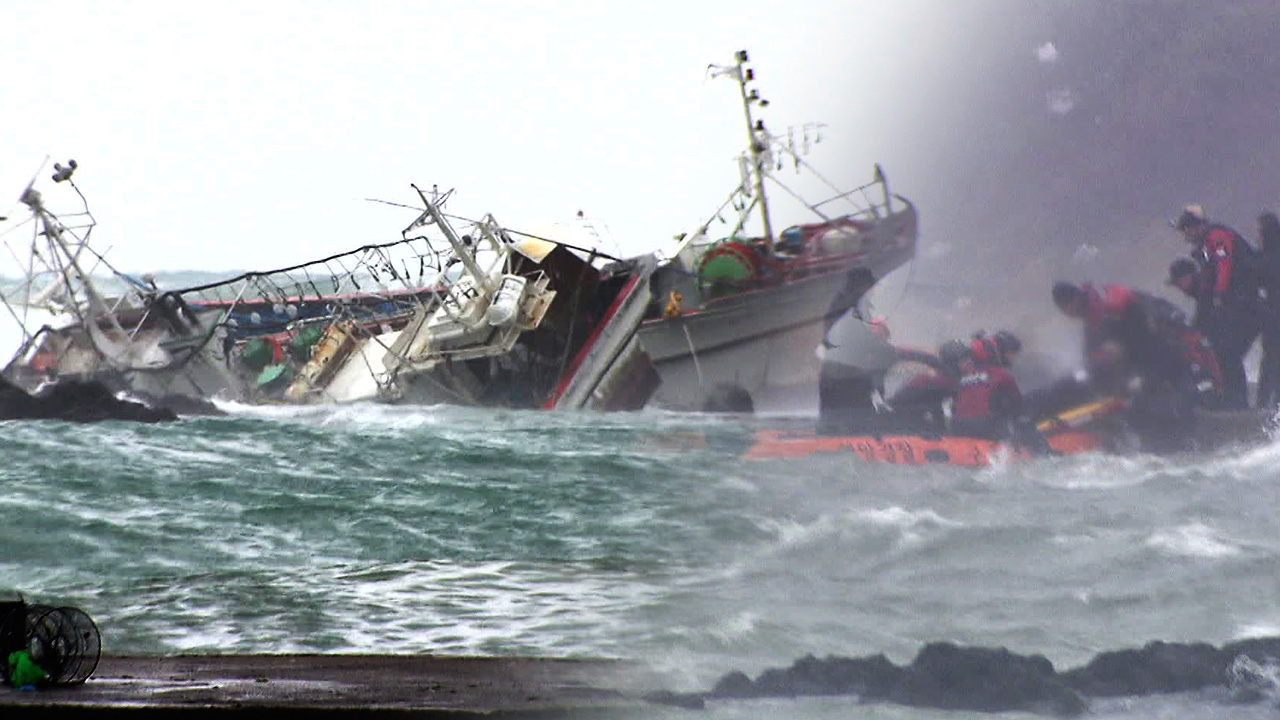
pixel 484 317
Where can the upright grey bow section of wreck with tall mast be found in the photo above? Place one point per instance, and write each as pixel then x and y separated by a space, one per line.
pixel 748 312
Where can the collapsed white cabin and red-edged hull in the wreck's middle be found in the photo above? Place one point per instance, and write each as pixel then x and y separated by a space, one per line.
pixel 520 322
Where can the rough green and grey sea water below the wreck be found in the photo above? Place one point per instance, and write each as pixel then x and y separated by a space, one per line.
pixel 412 530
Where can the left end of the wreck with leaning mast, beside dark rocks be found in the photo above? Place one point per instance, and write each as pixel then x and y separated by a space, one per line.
pixel 80 318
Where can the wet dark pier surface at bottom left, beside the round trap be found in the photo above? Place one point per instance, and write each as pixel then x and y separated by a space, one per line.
pixel 349 686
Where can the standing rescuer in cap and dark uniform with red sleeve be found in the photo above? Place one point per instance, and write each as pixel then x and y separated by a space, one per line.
pixel 1228 302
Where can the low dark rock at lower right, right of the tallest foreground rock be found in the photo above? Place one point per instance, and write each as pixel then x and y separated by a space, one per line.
pixel 1158 668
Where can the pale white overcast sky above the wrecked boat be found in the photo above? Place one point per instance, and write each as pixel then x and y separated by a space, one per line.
pixel 248 135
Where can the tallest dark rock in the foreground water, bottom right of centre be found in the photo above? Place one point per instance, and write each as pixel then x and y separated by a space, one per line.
pixel 991 681
